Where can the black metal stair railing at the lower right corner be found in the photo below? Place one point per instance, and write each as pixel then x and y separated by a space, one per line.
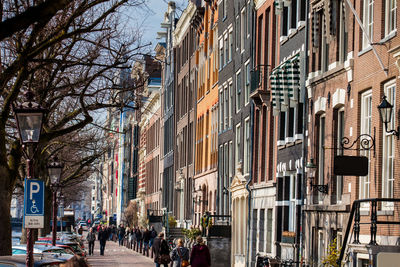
pixel 356 215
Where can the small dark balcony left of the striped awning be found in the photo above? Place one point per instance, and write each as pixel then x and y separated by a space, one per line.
pixel 260 84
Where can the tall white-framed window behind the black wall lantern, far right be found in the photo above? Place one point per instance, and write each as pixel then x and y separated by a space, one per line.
pixel 388 145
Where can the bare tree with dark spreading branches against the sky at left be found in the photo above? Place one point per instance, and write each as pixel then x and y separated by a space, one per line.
pixel 68 57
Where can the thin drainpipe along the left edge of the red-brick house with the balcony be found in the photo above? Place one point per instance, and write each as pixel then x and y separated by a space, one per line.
pixel 252 44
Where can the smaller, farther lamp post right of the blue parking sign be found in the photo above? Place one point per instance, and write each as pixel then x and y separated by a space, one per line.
pixel 55 170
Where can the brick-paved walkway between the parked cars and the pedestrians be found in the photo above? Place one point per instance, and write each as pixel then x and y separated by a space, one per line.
pixel 116 256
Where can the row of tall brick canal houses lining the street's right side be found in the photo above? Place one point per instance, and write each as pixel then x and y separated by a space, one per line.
pixel 242 117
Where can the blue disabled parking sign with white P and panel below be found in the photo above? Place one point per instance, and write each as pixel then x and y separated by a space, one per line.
pixel 34 204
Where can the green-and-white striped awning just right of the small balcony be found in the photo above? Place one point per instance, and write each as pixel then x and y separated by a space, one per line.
pixel 285 84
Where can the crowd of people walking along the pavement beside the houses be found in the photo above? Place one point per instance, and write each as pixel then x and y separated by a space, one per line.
pixel 151 244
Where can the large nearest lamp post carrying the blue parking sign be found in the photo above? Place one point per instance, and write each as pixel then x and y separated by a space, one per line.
pixel 29 117
